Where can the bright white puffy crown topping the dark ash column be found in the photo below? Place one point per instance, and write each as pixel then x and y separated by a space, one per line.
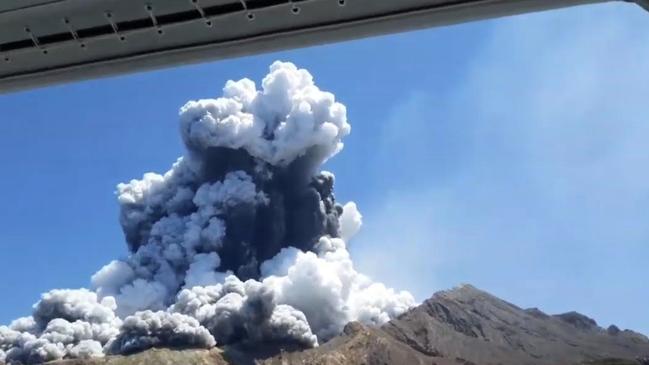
pixel 290 107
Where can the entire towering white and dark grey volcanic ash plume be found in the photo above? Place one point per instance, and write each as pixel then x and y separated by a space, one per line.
pixel 241 241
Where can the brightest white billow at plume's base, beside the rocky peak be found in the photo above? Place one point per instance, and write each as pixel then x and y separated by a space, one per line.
pixel 330 292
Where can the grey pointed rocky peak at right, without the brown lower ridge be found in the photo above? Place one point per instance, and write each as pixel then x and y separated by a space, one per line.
pixel 471 324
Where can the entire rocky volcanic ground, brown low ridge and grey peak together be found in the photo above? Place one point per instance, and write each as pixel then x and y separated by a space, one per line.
pixel 464 326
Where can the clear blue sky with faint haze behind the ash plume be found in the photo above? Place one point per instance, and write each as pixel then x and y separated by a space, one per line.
pixel 510 154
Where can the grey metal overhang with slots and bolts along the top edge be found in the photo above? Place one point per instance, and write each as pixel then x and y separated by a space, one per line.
pixel 51 41
